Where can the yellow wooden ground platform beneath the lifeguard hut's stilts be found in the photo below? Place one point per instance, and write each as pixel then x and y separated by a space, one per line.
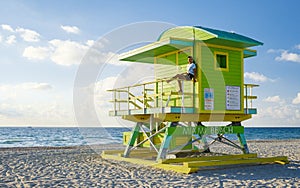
pixel 189 165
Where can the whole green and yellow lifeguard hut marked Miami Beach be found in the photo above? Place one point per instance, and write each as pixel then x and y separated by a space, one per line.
pixel 172 128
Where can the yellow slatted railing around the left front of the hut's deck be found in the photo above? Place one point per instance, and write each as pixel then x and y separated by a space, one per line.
pixel 155 94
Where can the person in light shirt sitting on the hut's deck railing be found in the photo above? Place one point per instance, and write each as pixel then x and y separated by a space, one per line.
pixel 190 73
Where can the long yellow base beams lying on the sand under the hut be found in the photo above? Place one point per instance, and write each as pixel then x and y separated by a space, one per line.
pixel 190 165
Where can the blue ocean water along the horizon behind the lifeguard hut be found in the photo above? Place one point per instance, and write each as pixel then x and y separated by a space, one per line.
pixel 57 136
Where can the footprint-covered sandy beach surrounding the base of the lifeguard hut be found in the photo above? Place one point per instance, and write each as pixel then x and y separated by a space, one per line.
pixel 84 167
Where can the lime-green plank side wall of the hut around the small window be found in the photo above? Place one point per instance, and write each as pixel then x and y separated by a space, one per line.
pixel 217 79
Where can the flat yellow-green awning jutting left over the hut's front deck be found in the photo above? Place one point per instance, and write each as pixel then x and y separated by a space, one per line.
pixel 146 54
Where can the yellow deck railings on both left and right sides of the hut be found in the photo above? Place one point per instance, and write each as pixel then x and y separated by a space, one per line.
pixel 159 94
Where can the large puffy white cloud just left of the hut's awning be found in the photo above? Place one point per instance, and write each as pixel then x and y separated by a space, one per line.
pixel 68 53
